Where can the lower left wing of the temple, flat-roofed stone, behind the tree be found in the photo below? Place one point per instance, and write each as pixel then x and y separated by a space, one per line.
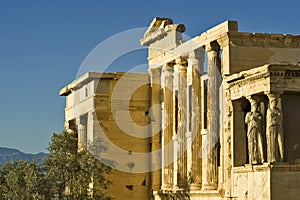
pixel 116 106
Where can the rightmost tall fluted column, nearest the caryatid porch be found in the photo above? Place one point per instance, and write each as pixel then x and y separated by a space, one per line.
pixel 210 165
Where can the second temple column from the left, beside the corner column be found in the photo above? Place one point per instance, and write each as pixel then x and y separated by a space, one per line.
pixel 168 128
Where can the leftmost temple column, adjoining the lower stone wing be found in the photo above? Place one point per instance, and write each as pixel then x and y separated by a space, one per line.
pixel 155 74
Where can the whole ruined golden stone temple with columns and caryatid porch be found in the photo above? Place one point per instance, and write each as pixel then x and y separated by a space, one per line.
pixel 222 113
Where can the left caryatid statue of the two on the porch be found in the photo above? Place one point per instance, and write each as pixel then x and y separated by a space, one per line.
pixel 254 120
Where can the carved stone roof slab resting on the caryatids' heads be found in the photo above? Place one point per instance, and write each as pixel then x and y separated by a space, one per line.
pixel 269 78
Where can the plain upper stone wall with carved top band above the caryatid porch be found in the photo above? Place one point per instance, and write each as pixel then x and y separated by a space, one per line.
pixel 250 50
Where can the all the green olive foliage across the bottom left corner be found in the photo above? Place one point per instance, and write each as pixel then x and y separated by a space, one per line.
pixel 65 174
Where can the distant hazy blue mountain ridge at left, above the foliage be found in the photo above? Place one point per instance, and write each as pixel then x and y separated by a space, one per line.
pixel 7 154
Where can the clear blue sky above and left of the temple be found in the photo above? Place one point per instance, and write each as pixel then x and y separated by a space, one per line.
pixel 43 43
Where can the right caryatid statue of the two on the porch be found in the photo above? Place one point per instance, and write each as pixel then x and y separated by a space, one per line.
pixel 274 130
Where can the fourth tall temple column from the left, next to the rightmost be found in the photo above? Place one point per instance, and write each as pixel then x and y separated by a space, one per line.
pixel 196 62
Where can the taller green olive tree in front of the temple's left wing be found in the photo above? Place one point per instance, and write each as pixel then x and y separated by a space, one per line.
pixel 71 172
